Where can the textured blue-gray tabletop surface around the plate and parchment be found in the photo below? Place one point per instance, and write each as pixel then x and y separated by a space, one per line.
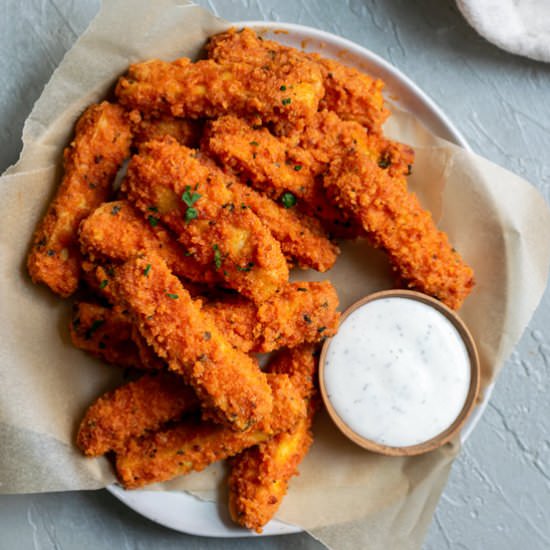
pixel 498 496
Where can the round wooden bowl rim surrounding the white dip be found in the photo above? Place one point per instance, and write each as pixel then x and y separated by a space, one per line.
pixel 471 397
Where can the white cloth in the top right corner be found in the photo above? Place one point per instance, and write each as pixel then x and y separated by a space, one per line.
pixel 517 26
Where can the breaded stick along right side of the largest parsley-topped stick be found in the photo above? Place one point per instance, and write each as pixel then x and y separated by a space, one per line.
pixel 301 237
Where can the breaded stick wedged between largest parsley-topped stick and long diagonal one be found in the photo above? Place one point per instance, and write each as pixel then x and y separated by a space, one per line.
pixel 117 231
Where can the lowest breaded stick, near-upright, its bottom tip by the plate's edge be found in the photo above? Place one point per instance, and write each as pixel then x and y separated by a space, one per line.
pixel 260 475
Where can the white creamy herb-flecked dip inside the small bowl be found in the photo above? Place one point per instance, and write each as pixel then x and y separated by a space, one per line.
pixel 397 372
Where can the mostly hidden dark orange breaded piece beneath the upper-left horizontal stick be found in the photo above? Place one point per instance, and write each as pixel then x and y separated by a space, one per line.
pixel 185 131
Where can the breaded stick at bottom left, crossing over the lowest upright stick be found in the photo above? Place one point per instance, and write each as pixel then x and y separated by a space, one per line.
pixel 190 446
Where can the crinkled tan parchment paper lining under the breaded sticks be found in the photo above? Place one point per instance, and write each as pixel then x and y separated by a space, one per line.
pixel 346 497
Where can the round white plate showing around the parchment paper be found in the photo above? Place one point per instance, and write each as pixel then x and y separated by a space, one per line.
pixel 179 510
